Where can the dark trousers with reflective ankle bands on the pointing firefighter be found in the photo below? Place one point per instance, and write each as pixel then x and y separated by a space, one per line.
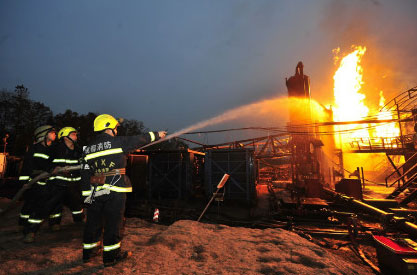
pixel 106 212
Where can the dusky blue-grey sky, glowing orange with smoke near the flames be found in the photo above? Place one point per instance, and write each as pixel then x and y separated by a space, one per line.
pixel 174 63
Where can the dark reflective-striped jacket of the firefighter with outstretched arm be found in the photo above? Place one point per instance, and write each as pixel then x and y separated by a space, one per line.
pixel 106 153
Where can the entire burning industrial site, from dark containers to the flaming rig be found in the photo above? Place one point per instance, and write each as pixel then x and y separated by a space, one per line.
pixel 302 173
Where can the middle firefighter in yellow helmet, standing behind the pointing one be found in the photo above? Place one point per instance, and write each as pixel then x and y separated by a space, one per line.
pixel 67 189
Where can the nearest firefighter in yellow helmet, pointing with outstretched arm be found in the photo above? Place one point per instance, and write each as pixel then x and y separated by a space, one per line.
pixel 105 184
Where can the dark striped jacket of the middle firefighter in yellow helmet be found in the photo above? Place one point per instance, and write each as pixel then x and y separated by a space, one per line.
pixel 64 156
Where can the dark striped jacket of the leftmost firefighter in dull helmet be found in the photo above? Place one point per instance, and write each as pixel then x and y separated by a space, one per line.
pixel 36 161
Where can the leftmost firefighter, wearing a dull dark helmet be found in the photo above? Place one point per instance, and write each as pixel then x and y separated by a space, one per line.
pixel 36 161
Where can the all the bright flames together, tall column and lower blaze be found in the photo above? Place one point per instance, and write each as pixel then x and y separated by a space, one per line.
pixel 350 106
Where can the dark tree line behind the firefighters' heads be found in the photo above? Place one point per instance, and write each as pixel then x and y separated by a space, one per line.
pixel 20 116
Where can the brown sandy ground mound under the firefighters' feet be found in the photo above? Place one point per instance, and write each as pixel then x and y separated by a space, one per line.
pixel 185 247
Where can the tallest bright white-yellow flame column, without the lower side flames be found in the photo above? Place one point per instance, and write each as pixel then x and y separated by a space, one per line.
pixel 349 101
